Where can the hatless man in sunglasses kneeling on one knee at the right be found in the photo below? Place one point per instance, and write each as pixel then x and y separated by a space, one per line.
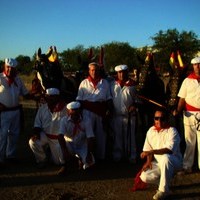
pixel 162 152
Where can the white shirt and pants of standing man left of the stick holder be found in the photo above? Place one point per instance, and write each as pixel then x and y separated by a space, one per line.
pixel 100 93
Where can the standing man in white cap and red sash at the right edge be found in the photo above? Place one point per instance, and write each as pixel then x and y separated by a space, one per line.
pixel 189 103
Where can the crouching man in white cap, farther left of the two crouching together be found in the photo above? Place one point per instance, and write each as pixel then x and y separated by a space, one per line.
pixel 46 127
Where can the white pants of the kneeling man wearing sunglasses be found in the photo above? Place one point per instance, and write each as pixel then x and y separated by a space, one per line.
pixel 162 172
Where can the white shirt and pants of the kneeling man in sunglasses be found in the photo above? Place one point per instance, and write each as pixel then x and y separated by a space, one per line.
pixel 164 166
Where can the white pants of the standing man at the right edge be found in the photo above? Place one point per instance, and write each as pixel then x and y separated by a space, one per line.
pixel 192 136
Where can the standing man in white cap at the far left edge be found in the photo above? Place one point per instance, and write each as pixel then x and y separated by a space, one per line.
pixel 11 88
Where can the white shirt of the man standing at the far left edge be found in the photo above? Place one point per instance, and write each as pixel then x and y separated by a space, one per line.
pixel 9 95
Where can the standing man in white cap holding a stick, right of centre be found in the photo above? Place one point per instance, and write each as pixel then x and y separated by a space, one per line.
pixel 124 115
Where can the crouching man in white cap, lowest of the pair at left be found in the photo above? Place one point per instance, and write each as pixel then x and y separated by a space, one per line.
pixel 76 139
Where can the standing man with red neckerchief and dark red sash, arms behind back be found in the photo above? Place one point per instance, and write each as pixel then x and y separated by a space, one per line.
pixel 95 98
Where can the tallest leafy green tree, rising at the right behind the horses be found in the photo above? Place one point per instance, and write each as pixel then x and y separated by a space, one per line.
pixel 166 42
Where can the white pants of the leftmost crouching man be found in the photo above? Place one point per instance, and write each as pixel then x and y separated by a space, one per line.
pixel 38 148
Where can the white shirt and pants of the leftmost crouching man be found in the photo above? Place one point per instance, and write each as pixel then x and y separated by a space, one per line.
pixel 49 123
